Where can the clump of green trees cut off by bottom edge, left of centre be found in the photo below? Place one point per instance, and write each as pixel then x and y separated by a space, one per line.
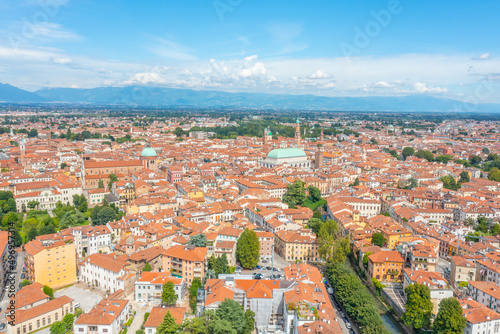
pixel 228 318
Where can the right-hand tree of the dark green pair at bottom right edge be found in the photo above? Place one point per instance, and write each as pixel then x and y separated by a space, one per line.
pixel 449 319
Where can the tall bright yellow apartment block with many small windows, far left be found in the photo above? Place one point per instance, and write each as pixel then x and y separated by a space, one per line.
pixel 53 264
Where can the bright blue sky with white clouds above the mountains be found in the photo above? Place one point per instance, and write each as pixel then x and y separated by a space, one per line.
pixel 333 48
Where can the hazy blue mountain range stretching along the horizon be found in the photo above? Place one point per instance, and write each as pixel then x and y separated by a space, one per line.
pixel 146 96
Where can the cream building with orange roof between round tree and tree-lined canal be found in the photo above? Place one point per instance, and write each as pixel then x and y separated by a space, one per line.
pixel 297 246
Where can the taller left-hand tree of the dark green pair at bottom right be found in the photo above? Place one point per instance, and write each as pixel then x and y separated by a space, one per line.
pixel 418 306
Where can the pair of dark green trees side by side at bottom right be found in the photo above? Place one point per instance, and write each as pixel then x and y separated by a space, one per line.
pixel 419 307
